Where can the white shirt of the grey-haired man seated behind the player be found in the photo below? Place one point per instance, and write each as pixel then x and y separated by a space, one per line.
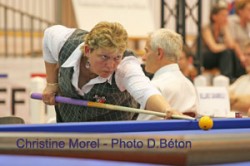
pixel 176 89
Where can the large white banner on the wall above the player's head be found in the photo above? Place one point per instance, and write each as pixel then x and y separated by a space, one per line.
pixel 135 15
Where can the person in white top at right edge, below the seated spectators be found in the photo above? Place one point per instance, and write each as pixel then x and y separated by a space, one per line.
pixel 240 90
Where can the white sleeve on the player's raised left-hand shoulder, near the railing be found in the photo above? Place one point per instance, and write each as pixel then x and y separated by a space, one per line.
pixel 53 41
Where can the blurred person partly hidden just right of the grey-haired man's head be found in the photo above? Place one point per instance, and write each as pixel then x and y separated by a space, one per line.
pixel 186 63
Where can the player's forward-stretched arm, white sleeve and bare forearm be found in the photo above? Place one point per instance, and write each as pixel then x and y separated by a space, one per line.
pixel 130 77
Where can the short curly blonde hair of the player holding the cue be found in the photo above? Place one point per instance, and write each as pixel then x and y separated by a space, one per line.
pixel 110 35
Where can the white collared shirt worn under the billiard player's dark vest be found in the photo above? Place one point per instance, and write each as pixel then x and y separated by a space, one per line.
pixel 129 75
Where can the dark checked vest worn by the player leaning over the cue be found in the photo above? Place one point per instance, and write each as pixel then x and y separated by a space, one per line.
pixel 103 91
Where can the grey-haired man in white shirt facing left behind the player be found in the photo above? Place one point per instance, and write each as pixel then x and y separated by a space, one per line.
pixel 162 51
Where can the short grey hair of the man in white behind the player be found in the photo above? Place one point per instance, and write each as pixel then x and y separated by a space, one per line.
pixel 170 41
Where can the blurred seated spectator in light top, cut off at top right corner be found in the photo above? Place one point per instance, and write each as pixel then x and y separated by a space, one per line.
pixel 239 25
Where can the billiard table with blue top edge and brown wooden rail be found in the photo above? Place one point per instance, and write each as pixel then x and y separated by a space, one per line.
pixel 178 142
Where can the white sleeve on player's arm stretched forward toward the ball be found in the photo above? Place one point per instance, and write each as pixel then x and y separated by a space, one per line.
pixel 129 76
